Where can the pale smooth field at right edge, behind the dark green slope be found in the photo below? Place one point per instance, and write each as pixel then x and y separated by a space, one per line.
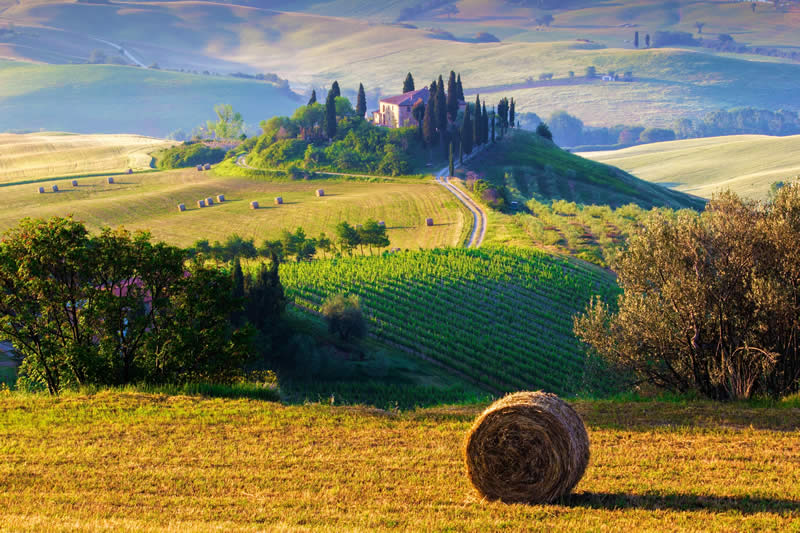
pixel 745 164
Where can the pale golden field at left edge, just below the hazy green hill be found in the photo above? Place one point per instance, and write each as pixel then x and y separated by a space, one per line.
pixel 41 155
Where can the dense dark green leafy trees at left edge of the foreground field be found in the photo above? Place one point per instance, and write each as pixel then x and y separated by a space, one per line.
pixel 112 308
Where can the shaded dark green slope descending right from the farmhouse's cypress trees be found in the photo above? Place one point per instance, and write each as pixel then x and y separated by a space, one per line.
pixel 534 167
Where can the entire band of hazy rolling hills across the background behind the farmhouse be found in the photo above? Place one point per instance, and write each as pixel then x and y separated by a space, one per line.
pixel 311 43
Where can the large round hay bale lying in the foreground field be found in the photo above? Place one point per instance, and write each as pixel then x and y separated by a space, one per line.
pixel 528 447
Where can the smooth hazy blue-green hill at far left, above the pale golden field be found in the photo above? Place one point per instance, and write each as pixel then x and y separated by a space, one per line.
pixel 115 99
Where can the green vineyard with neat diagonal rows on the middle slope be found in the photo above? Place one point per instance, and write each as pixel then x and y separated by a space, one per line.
pixel 501 319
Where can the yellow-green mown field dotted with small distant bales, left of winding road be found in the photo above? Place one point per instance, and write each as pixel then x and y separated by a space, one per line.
pixel 149 201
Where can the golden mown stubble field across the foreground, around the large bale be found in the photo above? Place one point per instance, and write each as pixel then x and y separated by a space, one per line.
pixel 149 462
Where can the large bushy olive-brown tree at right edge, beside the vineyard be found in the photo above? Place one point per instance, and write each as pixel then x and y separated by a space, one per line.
pixel 710 302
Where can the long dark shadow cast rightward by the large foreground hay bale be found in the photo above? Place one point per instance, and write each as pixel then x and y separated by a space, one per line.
pixel 681 502
